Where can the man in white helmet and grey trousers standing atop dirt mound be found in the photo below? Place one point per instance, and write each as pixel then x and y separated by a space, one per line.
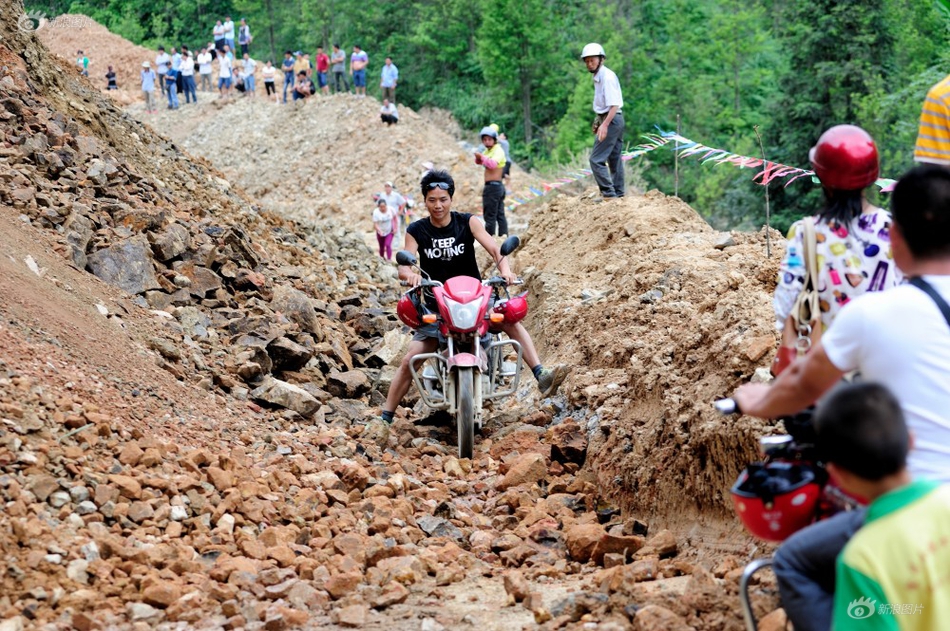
pixel 605 159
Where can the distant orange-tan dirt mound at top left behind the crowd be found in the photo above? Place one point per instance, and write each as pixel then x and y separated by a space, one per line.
pixel 68 33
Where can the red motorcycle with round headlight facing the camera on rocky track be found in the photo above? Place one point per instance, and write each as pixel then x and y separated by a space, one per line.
pixel 473 363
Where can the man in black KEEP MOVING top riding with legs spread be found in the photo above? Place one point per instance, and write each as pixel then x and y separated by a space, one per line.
pixel 444 243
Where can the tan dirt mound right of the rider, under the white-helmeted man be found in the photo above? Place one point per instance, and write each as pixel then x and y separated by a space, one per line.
pixel 660 315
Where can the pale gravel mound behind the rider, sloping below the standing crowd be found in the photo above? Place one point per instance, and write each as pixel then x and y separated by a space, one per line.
pixel 323 157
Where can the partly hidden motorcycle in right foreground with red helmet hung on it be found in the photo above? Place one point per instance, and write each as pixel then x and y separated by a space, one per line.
pixel 785 492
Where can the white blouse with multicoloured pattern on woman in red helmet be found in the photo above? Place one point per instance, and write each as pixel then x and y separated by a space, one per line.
pixel 852 258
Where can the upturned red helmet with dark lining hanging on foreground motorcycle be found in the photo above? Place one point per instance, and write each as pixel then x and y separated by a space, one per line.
pixel 777 499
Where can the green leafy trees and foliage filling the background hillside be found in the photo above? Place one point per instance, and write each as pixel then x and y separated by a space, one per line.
pixel 719 67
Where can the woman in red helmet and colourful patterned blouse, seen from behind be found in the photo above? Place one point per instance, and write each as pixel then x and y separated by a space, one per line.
pixel 853 236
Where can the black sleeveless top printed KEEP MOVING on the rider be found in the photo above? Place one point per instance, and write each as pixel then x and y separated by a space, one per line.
pixel 446 252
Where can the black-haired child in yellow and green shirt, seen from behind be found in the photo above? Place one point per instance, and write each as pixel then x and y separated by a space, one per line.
pixel 900 555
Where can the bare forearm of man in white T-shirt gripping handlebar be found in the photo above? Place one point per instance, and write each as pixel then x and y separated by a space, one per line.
pixel 796 388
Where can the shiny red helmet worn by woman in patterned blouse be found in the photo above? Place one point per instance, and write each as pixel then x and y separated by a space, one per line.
pixel 845 158
